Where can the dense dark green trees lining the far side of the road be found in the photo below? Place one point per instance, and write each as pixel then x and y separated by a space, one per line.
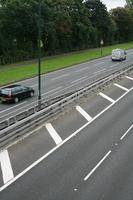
pixel 67 25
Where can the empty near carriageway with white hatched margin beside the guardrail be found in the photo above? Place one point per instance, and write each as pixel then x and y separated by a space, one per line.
pixel 83 154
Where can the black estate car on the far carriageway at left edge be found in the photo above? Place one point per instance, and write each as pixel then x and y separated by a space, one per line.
pixel 14 93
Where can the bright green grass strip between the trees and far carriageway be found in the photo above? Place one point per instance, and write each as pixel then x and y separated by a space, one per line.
pixel 20 71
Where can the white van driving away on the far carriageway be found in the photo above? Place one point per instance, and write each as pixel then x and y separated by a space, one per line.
pixel 118 54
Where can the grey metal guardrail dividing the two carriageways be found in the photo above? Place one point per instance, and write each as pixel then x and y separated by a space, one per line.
pixel 19 124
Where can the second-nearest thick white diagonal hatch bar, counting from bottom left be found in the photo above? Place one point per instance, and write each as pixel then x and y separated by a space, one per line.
pixel 53 133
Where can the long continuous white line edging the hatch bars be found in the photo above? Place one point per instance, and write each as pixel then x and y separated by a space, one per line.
pixel 61 144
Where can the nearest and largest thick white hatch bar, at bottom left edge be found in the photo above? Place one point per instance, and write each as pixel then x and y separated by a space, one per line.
pixel 6 167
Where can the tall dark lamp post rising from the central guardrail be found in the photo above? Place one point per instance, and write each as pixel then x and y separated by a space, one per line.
pixel 39 54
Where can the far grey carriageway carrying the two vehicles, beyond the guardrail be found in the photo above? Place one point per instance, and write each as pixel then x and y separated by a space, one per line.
pixel 64 81
